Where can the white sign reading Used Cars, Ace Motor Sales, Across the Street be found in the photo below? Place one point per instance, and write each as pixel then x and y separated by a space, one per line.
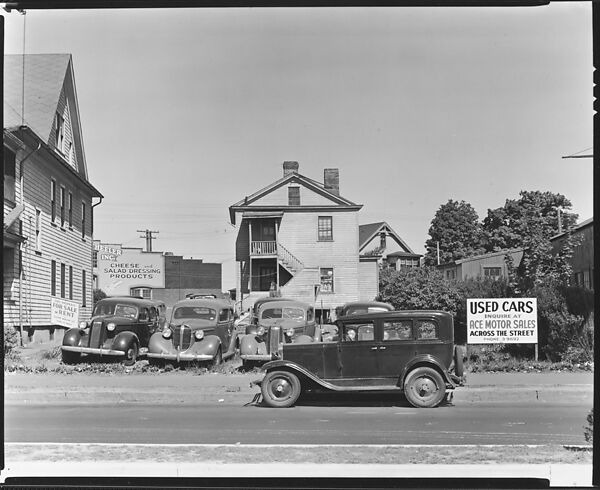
pixel 502 321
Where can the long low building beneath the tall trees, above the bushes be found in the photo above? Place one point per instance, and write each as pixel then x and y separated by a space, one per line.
pixel 491 265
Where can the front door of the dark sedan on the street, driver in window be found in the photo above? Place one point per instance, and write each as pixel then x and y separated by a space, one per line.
pixel 358 350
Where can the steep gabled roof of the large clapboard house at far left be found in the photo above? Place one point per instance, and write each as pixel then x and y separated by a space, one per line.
pixel 33 87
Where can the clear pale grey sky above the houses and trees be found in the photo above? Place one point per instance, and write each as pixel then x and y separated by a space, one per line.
pixel 186 111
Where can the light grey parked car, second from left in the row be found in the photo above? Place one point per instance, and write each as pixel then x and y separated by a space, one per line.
pixel 199 330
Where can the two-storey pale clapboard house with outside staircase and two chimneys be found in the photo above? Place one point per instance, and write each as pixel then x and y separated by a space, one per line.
pixel 300 237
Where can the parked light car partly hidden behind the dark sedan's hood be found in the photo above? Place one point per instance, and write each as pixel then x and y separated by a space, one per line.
pixel 278 321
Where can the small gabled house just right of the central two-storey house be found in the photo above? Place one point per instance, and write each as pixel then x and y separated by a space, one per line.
pixel 379 239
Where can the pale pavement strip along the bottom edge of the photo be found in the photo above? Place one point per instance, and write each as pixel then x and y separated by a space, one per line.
pixel 559 475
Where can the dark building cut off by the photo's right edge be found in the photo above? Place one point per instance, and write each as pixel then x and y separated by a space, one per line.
pixel 582 261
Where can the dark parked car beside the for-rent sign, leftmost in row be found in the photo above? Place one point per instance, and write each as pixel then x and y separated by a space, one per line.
pixel 120 327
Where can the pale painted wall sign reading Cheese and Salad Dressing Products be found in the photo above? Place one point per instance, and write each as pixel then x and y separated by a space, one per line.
pixel 121 269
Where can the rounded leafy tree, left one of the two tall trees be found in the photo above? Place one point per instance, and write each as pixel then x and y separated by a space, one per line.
pixel 457 231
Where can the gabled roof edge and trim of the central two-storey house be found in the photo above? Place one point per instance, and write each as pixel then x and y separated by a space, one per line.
pixel 246 204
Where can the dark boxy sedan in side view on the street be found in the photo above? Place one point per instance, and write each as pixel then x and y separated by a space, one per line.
pixel 412 352
